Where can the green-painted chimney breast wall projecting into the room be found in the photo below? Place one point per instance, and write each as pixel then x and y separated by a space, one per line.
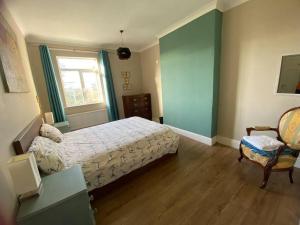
pixel 190 68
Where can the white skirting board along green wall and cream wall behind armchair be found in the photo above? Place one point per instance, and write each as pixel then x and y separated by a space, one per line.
pixel 211 141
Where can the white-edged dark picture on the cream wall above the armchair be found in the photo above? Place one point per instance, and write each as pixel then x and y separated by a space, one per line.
pixel 289 79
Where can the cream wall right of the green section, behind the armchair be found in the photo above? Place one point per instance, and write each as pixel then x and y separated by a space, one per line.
pixel 255 36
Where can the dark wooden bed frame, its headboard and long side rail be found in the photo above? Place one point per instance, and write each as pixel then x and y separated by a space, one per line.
pixel 24 139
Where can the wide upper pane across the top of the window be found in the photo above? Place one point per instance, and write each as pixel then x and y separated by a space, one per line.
pixel 77 63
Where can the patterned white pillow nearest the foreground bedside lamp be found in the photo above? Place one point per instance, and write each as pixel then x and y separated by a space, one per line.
pixel 47 154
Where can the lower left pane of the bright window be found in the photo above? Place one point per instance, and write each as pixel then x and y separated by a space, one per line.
pixel 72 88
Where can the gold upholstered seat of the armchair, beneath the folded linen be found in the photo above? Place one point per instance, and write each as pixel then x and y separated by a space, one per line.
pixel 286 160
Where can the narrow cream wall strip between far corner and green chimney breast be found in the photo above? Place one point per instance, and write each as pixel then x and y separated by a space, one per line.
pixel 150 63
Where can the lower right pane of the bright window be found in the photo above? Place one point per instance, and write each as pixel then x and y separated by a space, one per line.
pixel 92 91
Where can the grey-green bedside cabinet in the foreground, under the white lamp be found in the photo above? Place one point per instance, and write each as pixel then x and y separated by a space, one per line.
pixel 63 200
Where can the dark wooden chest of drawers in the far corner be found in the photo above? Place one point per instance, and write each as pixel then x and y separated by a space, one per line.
pixel 137 105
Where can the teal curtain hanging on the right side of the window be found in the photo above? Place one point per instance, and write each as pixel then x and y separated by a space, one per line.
pixel 111 102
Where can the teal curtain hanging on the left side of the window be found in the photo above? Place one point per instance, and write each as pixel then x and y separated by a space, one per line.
pixel 52 87
